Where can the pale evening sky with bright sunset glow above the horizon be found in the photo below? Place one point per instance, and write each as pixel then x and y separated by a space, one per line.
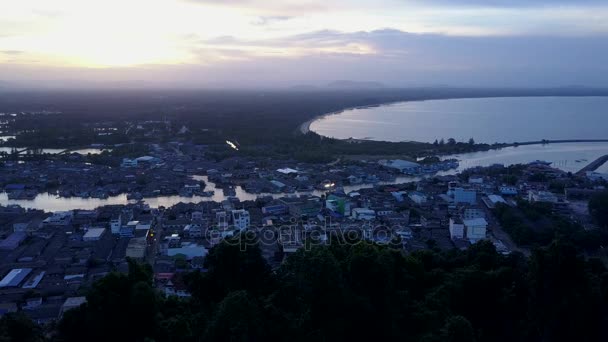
pixel 265 43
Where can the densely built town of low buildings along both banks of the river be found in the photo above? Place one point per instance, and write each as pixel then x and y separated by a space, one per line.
pixel 51 257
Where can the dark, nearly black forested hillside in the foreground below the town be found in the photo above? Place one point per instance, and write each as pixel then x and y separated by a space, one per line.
pixel 356 291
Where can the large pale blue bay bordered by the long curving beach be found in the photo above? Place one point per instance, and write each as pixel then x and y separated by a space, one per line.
pixel 489 120
